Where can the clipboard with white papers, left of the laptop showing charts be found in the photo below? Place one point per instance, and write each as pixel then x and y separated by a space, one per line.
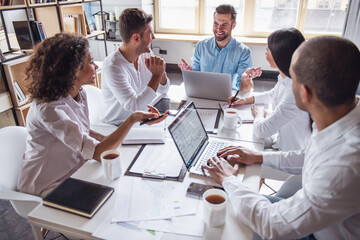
pixel 158 161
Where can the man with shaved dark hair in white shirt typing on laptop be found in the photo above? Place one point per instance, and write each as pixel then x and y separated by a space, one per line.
pixel 327 206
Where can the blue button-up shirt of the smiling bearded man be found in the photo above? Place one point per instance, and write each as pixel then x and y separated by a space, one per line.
pixel 233 59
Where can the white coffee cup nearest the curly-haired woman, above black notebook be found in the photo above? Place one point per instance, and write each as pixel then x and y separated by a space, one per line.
pixel 110 161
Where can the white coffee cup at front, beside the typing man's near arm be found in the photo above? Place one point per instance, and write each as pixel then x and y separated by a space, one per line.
pixel 215 201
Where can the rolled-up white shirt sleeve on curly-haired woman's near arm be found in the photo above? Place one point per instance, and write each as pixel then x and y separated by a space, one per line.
pixel 56 119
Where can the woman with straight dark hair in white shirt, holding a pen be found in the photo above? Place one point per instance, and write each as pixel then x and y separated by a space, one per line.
pixel 286 127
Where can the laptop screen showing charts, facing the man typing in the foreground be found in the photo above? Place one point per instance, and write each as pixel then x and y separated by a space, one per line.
pixel 188 133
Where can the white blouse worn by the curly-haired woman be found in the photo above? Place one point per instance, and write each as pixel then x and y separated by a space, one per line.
pixel 58 143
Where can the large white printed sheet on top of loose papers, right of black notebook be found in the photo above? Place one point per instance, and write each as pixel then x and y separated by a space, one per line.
pixel 150 200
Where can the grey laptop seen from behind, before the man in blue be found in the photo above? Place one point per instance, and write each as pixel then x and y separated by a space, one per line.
pixel 208 85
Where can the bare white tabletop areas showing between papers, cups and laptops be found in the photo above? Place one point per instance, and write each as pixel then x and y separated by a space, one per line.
pixel 79 227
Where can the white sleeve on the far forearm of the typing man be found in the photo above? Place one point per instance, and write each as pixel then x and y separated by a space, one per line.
pixel 290 162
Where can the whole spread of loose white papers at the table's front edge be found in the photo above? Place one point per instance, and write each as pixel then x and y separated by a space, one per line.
pixel 162 206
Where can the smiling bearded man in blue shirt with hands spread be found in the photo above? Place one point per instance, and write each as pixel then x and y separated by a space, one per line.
pixel 223 54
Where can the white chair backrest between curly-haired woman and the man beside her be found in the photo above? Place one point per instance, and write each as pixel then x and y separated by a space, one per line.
pixel 94 98
